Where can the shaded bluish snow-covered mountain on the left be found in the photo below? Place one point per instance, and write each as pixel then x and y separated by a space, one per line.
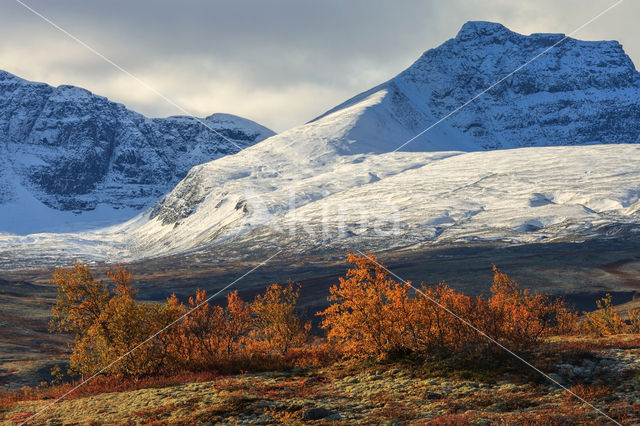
pixel 64 149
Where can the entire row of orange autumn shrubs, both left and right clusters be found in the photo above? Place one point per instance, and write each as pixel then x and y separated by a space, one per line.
pixel 370 316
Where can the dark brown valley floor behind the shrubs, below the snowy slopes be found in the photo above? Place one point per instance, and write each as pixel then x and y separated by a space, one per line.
pixel 580 272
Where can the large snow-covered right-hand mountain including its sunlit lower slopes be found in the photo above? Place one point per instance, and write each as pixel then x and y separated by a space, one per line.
pixel 500 168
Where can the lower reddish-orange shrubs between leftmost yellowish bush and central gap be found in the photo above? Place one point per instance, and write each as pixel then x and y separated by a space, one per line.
pixel 240 335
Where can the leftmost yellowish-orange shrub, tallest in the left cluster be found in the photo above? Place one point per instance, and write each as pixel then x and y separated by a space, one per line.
pixel 107 323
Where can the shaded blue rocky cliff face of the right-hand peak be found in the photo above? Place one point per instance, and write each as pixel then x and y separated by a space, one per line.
pixel 579 92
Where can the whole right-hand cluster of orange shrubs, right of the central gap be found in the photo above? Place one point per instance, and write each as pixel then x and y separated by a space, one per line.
pixel 373 316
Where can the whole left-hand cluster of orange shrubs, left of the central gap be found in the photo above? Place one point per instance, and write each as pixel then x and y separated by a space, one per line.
pixel 108 323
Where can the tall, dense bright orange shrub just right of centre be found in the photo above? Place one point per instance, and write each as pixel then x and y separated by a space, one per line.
pixel 374 316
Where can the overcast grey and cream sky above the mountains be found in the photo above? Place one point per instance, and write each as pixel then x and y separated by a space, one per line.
pixel 278 62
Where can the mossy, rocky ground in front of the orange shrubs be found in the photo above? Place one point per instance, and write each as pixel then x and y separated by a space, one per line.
pixel 605 372
